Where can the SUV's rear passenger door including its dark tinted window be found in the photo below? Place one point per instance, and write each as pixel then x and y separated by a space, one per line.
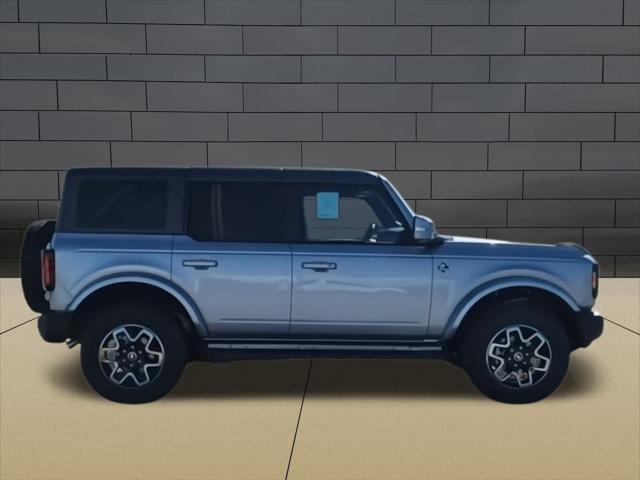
pixel 235 259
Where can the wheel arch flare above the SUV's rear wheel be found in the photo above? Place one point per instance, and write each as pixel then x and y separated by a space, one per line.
pixel 139 292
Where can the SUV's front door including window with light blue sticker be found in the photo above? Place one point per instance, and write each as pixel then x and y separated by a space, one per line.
pixel 356 274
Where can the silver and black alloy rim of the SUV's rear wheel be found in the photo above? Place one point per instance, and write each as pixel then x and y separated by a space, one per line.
pixel 131 355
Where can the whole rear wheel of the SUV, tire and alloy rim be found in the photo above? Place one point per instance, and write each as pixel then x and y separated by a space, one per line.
pixel 133 353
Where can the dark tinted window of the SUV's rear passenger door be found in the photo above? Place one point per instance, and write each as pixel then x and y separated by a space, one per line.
pixel 238 212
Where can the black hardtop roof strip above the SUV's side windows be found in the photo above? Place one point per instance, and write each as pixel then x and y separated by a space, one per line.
pixel 294 175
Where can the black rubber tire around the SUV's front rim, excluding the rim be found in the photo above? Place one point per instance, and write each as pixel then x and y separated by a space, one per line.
pixel 489 326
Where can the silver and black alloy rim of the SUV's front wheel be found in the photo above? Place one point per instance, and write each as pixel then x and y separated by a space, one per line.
pixel 519 356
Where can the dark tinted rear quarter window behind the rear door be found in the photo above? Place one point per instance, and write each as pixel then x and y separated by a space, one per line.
pixel 131 205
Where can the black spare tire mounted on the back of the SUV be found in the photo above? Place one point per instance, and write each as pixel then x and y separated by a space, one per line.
pixel 36 238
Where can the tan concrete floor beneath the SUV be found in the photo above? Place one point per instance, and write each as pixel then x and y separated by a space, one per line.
pixel 391 419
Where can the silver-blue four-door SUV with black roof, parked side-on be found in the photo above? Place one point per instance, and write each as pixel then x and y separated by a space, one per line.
pixel 150 268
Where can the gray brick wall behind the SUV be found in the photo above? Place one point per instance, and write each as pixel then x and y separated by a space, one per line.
pixel 514 119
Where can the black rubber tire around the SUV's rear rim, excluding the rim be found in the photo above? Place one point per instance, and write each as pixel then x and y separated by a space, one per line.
pixel 160 379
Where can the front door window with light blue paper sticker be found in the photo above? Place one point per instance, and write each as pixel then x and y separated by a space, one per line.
pixel 353 214
